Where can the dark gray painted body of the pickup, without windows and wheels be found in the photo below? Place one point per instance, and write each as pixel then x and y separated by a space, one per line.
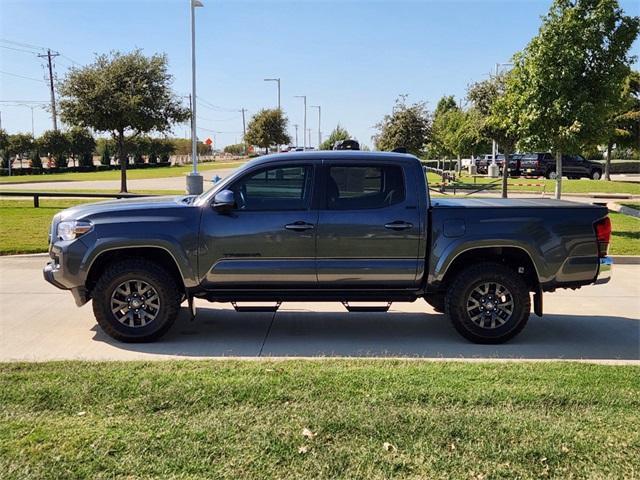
pixel 345 251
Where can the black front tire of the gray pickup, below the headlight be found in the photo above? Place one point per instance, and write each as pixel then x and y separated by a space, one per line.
pixel 149 274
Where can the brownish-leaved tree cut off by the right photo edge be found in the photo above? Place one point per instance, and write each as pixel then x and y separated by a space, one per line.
pixel 624 125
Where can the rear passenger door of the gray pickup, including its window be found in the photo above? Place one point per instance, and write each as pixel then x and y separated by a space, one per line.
pixel 368 226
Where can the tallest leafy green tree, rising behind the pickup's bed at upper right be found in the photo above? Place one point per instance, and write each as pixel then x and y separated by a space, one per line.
pixel 567 81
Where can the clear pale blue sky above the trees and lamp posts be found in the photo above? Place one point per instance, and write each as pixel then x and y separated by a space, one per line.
pixel 353 58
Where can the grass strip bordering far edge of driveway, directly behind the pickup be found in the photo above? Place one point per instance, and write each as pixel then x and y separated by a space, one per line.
pixel 24 229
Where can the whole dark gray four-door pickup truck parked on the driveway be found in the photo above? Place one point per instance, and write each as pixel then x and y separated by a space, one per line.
pixel 347 226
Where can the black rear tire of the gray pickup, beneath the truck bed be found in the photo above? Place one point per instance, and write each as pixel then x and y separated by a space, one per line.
pixel 459 297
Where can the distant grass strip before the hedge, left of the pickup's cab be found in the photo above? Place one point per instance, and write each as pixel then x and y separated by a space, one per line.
pixel 160 172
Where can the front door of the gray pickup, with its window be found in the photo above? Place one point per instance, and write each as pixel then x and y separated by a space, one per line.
pixel 268 240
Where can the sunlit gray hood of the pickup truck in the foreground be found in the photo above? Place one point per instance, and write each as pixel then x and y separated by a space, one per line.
pixel 128 204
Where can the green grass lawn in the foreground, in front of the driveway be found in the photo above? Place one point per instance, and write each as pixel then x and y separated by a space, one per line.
pixel 363 420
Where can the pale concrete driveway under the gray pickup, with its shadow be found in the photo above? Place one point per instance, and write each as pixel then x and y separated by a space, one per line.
pixel 39 322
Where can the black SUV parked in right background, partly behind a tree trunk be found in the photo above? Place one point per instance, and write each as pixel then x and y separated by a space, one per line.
pixel 544 165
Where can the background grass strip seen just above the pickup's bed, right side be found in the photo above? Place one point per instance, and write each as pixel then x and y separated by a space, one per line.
pixel 568 186
